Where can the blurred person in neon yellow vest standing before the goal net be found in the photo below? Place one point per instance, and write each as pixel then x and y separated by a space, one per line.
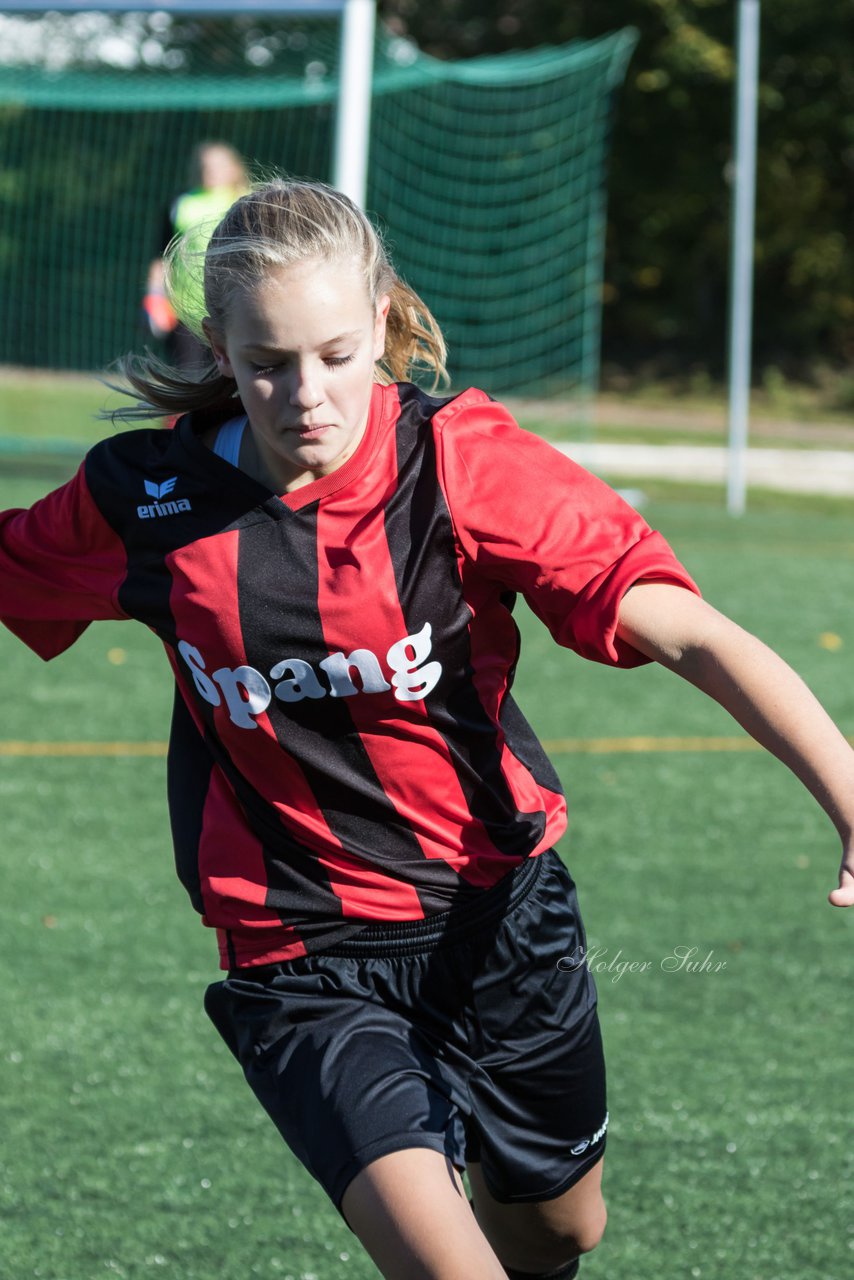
pixel 218 177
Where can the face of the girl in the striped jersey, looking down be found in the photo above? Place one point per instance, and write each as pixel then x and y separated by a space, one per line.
pixel 302 349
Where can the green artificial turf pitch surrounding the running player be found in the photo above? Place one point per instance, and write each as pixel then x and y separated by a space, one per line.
pixel 133 1146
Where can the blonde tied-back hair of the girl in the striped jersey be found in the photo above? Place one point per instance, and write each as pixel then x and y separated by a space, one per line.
pixel 277 225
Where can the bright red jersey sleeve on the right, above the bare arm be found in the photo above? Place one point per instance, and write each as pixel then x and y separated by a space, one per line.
pixel 535 522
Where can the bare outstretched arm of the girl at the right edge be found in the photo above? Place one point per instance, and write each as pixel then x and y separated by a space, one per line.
pixel 759 689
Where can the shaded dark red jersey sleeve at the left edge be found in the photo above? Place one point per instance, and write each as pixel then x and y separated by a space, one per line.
pixel 61 568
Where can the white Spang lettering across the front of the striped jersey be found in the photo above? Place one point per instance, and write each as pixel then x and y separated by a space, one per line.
pixel 248 693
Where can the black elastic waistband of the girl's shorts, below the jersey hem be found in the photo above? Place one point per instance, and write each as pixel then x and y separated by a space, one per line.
pixel 445 929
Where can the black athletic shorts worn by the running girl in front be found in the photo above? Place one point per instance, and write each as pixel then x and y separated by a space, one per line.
pixel 460 1034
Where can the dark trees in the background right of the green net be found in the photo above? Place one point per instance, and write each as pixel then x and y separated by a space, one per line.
pixel 670 195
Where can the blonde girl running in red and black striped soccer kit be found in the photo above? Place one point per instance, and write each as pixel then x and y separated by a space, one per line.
pixel 331 559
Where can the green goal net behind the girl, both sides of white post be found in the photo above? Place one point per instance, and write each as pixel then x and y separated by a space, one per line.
pixel 487 177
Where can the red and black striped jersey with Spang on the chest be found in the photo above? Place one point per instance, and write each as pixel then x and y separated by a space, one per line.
pixel 345 747
